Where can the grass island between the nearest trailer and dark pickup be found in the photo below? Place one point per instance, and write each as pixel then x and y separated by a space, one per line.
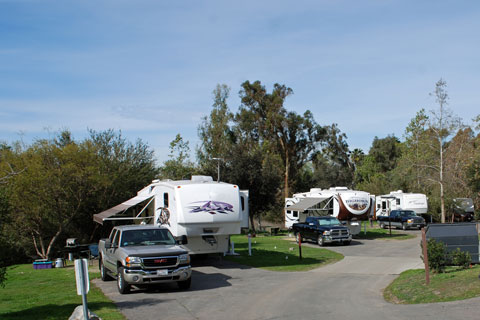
pixel 277 254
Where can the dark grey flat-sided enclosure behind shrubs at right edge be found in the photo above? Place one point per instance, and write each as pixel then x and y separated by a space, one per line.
pixel 456 235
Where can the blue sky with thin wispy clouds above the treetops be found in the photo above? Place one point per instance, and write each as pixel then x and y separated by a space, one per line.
pixel 148 68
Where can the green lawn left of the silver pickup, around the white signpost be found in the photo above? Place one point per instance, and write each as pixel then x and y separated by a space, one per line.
pixel 49 294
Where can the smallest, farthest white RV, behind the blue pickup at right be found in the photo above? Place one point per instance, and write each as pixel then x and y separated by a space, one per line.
pixel 398 200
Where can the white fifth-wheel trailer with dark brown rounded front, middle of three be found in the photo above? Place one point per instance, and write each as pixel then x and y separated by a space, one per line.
pixel 347 205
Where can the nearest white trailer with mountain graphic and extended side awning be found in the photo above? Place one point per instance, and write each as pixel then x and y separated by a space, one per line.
pixel 207 212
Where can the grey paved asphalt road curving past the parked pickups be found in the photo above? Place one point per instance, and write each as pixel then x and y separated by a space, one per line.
pixel 349 289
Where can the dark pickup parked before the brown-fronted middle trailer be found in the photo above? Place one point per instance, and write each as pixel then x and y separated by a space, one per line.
pixel 322 230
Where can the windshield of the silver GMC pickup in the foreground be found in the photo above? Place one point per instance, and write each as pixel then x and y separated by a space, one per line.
pixel 149 237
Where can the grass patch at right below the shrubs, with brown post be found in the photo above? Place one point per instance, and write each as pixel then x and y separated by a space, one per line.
pixel 455 284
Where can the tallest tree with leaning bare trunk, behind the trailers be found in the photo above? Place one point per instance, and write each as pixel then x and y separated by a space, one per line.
pixel 266 120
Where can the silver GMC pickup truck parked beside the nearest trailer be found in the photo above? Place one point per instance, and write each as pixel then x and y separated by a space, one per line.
pixel 144 255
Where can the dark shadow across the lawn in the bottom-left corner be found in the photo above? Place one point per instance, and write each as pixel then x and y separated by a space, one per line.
pixel 51 311
